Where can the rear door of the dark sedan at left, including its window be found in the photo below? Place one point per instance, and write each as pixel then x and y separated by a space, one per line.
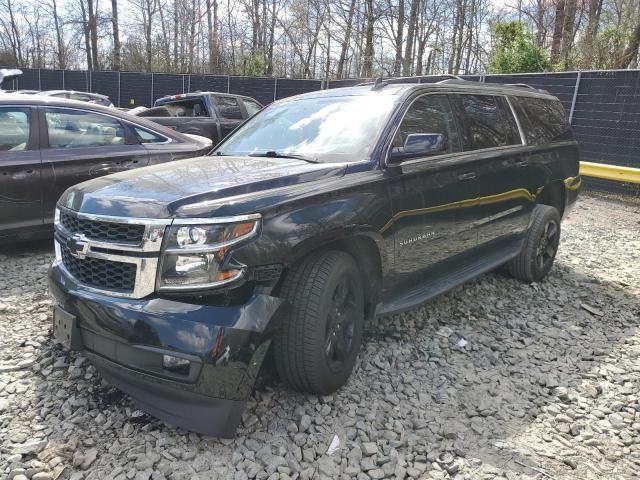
pixel 79 145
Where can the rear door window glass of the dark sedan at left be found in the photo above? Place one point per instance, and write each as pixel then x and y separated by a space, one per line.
pixel 76 129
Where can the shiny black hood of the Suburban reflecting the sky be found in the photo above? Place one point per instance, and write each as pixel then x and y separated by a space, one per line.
pixel 159 191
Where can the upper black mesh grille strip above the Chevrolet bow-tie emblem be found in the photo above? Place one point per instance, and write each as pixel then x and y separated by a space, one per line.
pixel 102 231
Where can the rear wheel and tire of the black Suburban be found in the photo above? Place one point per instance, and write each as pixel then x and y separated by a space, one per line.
pixel 540 246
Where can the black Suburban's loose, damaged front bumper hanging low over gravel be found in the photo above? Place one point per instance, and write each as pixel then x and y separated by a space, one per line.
pixel 127 339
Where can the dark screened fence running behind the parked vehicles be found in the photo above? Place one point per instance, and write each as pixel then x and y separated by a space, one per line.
pixel 603 106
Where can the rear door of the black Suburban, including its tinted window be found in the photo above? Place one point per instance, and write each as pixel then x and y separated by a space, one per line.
pixel 489 129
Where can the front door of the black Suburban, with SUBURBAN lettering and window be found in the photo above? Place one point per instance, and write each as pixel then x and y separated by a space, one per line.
pixel 431 194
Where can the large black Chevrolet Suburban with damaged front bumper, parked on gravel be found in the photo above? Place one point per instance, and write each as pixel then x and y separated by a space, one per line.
pixel 320 211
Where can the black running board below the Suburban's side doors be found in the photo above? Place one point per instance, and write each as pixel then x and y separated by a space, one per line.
pixel 441 283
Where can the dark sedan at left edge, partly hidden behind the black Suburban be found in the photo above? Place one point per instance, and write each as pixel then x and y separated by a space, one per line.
pixel 48 144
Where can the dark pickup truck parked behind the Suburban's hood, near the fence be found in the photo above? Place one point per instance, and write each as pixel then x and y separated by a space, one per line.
pixel 210 114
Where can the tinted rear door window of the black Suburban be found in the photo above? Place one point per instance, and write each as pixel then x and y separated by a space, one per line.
pixel 486 122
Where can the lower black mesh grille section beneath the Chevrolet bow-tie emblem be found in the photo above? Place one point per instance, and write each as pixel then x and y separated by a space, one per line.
pixel 100 273
